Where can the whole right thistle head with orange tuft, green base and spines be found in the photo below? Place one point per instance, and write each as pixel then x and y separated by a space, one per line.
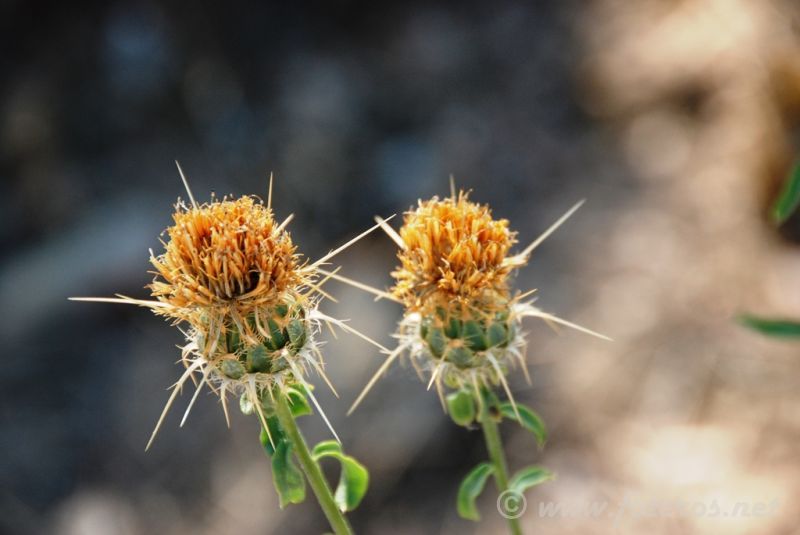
pixel 462 327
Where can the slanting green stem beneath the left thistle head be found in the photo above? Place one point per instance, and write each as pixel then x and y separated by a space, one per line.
pixel 311 469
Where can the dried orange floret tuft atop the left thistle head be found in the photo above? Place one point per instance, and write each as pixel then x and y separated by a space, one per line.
pixel 225 253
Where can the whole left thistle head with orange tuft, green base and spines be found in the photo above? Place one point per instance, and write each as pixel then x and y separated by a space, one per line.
pixel 231 274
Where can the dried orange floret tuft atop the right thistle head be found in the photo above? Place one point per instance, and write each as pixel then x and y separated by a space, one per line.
pixel 453 250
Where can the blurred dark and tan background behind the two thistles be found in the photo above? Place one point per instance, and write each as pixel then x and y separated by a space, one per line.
pixel 676 119
